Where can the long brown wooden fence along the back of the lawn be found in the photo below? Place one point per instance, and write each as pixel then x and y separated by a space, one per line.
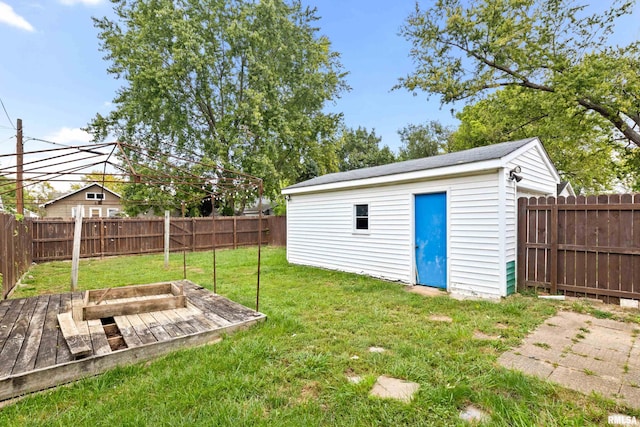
pixel 53 238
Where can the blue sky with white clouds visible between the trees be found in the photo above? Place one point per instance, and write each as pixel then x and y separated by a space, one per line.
pixel 53 76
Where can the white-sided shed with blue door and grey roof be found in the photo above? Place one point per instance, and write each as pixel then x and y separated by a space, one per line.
pixel 447 221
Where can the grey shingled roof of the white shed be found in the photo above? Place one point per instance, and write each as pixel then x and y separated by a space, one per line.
pixel 479 154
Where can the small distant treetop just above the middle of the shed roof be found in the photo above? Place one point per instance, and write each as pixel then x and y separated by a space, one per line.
pixel 423 140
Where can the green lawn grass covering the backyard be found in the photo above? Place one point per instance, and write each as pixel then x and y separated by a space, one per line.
pixel 292 370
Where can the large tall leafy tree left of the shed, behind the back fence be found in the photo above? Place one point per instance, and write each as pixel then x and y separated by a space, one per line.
pixel 240 82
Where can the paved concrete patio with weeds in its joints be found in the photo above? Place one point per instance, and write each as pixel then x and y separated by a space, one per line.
pixel 583 353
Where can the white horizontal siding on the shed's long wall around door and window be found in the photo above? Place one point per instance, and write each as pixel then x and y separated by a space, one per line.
pixel 320 232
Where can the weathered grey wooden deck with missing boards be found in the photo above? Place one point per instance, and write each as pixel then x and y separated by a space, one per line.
pixel 35 355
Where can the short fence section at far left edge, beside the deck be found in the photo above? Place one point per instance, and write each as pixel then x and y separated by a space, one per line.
pixel 15 251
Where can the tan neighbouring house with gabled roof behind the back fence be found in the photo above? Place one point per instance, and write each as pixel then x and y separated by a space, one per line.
pixel 97 201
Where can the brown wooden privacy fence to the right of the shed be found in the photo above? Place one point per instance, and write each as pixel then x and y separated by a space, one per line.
pixel 581 245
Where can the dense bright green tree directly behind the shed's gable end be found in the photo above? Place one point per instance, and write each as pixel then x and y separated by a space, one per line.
pixel 581 145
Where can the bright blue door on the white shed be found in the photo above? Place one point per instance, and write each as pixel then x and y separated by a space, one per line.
pixel 431 239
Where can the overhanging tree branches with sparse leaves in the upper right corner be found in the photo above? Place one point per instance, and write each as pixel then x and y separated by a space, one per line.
pixel 464 50
